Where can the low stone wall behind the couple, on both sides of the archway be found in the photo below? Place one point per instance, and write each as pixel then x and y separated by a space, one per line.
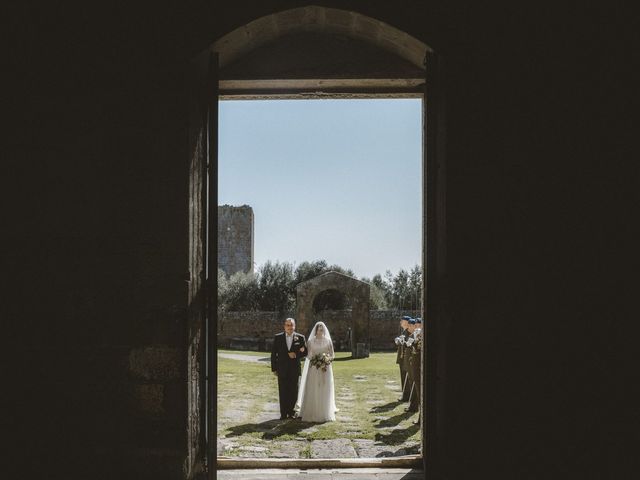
pixel 254 330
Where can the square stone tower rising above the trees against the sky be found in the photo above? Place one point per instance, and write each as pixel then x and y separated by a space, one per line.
pixel 235 239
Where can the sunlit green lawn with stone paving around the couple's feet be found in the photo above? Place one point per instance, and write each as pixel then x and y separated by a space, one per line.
pixel 366 396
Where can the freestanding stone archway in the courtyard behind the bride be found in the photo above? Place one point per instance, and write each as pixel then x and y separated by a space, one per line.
pixel 355 290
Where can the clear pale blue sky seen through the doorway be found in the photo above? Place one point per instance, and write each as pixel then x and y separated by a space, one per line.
pixel 327 179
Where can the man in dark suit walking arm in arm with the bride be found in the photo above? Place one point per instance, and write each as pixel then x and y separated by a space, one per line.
pixel 288 348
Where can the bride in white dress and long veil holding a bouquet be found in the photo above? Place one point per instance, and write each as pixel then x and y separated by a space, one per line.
pixel 316 399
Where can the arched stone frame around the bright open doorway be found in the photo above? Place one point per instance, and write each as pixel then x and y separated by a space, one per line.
pixel 310 52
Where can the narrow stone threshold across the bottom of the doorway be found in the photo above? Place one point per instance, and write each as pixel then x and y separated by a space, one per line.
pixel 406 461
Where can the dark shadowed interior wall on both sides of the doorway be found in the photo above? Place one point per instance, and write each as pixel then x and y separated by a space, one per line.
pixel 539 235
